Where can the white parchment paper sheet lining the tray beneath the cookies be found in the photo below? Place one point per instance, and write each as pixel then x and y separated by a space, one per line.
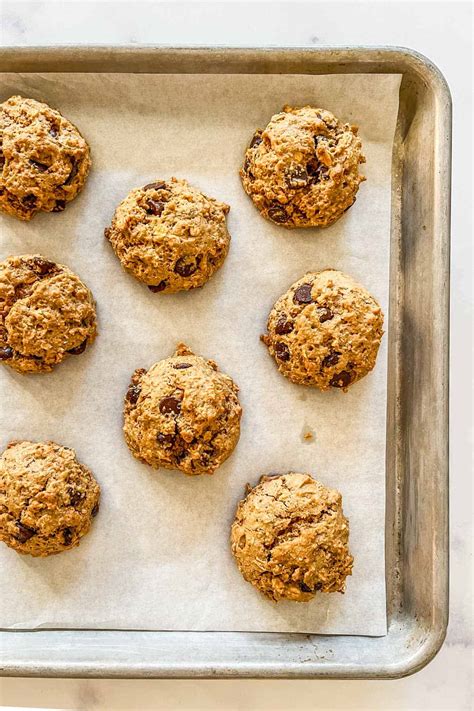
pixel 158 554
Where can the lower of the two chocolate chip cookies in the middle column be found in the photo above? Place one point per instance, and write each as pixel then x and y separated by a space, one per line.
pixel 182 414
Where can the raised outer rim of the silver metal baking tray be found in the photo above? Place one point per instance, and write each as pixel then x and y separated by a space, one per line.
pixel 397 60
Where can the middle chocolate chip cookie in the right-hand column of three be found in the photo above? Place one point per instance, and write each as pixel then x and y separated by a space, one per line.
pixel 325 331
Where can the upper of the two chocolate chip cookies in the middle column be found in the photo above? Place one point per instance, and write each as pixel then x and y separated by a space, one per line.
pixel 170 236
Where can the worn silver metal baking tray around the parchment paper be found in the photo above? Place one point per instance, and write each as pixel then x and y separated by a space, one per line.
pixel 417 426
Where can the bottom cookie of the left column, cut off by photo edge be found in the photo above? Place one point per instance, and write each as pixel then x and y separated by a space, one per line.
pixel 47 498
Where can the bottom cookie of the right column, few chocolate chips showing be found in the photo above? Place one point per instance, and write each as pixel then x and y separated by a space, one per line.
pixel 290 536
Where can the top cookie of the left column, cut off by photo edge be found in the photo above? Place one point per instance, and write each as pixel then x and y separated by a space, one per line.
pixel 44 160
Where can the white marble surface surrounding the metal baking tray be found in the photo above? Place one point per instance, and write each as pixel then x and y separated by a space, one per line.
pixel 442 31
